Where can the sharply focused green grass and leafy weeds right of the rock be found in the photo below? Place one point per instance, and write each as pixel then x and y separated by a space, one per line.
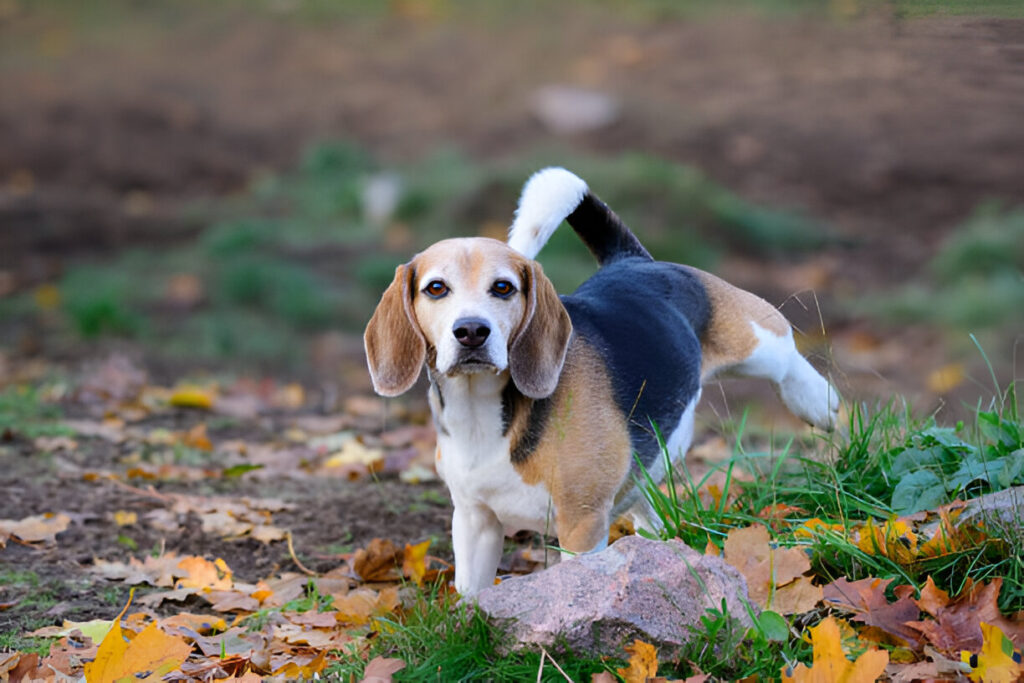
pixel 866 476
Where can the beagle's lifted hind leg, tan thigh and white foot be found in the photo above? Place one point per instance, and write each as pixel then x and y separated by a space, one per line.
pixel 748 336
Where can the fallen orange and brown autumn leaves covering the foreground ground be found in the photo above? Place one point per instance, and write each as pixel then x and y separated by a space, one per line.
pixel 293 625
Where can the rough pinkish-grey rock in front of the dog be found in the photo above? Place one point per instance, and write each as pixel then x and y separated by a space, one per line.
pixel 636 588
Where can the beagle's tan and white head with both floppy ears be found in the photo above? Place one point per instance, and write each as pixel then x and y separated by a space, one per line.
pixel 468 306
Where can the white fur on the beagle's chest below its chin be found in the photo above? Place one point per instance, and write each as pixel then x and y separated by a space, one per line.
pixel 475 459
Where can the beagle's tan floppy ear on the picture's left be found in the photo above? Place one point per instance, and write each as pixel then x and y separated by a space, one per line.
pixel 396 348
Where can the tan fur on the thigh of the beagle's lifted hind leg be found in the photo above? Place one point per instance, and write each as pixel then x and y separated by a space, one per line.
pixel 730 338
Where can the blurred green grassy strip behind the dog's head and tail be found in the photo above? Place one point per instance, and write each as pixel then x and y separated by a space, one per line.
pixel 300 254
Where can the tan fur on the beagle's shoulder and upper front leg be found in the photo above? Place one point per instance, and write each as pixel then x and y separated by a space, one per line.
pixel 583 457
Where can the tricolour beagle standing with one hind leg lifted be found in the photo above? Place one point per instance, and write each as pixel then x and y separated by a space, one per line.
pixel 546 407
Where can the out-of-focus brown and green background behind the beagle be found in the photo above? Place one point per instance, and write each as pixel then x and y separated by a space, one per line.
pixel 228 187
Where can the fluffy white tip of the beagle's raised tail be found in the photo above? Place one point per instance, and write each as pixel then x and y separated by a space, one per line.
pixel 548 197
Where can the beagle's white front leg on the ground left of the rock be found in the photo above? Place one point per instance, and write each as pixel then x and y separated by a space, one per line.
pixel 478 537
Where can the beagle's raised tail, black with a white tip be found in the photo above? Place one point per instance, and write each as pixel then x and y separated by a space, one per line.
pixel 554 195
